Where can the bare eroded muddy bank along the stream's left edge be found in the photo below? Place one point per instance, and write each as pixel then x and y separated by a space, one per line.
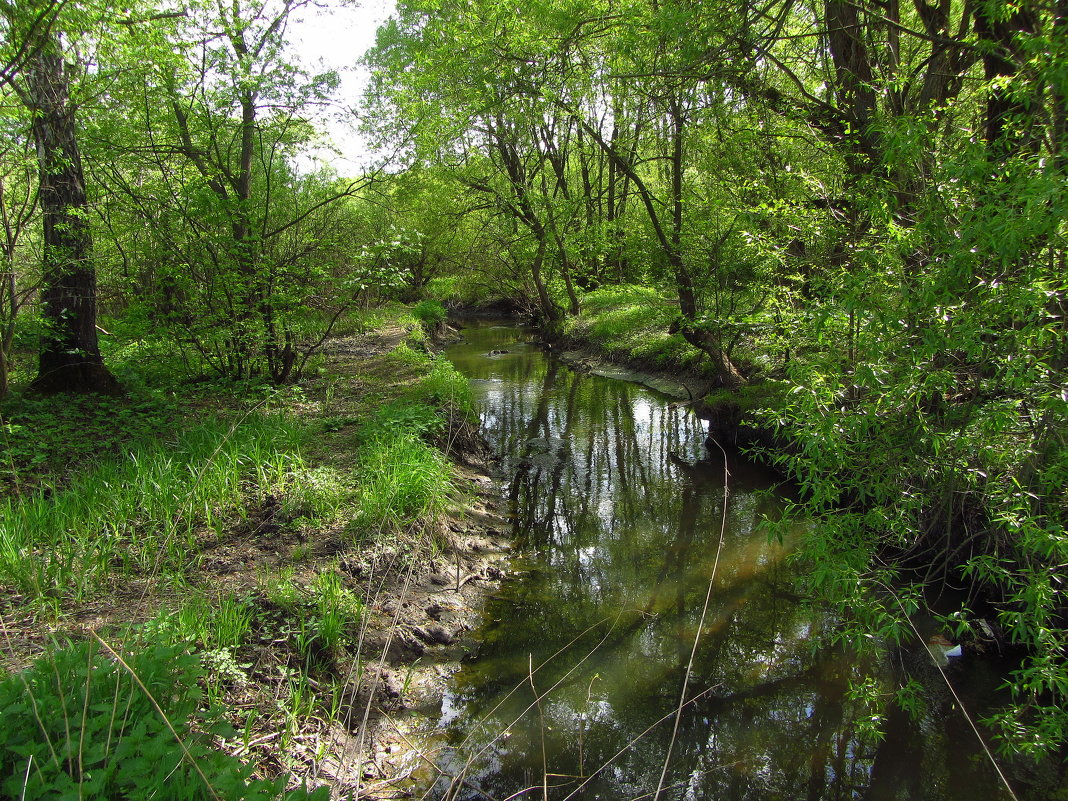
pixel 419 627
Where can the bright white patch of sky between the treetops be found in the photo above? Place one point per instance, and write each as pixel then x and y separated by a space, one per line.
pixel 335 37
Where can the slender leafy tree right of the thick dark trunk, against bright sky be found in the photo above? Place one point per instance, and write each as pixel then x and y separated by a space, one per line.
pixel 244 248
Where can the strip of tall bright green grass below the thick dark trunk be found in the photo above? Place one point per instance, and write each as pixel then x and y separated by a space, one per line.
pixel 143 513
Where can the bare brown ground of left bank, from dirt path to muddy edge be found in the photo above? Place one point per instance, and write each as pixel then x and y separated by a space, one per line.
pixel 350 714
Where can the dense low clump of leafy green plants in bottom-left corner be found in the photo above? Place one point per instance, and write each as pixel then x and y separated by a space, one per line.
pixel 78 725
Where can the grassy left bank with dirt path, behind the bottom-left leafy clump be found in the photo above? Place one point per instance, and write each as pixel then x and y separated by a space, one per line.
pixel 233 522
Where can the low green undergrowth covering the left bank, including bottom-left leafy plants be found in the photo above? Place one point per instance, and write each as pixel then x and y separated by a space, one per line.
pixel 103 494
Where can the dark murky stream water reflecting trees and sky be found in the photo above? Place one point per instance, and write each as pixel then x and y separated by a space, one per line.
pixel 619 509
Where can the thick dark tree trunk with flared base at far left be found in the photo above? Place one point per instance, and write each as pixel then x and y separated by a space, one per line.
pixel 70 353
